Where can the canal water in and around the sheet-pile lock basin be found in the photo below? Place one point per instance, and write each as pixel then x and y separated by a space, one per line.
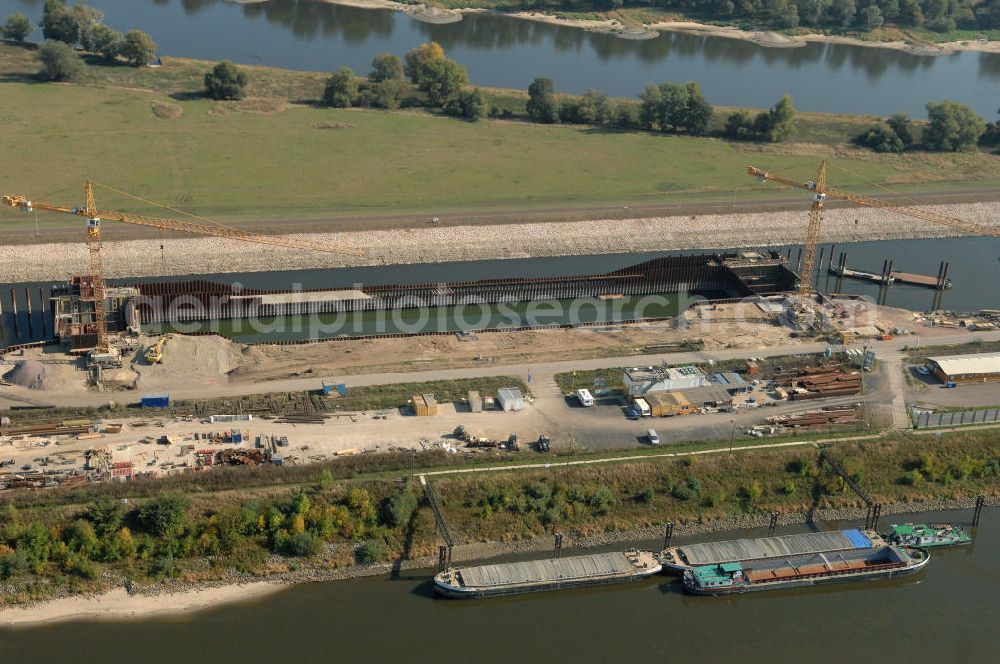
pixel 974 269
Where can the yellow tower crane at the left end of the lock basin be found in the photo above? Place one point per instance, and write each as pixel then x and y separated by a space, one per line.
pixel 95 216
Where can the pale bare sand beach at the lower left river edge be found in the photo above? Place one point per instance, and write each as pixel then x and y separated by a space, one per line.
pixel 119 605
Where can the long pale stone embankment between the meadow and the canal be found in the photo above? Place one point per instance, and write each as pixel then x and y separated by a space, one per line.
pixel 433 244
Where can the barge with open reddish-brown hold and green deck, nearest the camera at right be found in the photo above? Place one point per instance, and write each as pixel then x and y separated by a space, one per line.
pixel 886 562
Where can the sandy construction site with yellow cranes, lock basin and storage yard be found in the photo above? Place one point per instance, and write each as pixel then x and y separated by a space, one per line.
pixel 113 390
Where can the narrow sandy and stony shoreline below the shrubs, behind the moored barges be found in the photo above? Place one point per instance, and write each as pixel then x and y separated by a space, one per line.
pixel 149 603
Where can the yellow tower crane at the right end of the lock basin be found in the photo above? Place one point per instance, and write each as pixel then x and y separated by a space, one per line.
pixel 821 191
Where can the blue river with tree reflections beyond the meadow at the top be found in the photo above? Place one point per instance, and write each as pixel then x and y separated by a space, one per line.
pixel 507 52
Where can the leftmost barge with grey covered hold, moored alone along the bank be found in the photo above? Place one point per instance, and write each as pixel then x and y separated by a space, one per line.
pixel 500 579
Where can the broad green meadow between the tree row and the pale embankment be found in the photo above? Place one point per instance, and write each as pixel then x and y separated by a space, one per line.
pixel 274 157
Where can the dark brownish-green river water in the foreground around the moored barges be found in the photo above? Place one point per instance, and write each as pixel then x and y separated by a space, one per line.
pixel 947 613
